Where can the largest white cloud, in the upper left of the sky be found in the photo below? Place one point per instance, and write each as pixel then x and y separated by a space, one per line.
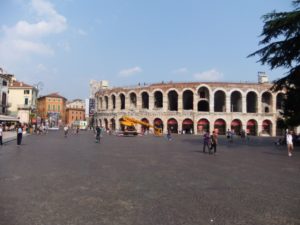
pixel 25 38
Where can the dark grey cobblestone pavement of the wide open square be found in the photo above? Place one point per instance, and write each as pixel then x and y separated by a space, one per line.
pixel 52 180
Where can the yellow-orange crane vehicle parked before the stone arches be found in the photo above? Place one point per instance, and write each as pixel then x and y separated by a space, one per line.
pixel 129 126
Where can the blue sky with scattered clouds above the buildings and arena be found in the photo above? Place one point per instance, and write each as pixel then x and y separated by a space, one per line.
pixel 66 43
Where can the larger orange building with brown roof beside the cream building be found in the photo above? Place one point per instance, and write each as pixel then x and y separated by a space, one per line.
pixel 52 109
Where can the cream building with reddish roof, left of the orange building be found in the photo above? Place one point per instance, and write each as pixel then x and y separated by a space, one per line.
pixel 22 99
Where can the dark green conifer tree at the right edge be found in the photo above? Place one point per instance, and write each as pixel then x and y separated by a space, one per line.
pixel 281 40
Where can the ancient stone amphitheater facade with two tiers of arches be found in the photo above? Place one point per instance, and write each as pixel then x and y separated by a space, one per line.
pixel 194 107
